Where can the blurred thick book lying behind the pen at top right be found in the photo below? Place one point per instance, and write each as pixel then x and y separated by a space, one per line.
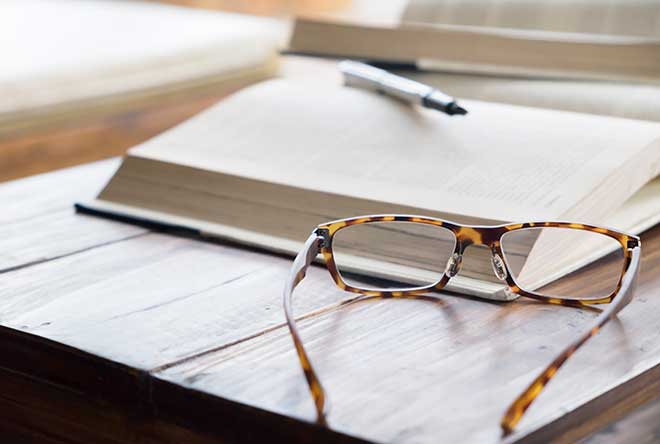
pixel 582 41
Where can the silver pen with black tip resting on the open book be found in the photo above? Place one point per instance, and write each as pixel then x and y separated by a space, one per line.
pixel 364 76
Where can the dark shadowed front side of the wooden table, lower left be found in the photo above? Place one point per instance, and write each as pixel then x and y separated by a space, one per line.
pixel 53 393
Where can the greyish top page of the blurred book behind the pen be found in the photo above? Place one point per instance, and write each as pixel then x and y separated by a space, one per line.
pixel 619 17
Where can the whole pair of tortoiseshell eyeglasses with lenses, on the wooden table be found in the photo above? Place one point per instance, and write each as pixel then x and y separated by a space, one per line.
pixel 401 256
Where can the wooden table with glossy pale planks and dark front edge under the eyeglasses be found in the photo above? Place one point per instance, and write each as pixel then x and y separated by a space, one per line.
pixel 114 333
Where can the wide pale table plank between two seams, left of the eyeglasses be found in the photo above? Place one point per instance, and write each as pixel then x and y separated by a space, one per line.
pixel 170 298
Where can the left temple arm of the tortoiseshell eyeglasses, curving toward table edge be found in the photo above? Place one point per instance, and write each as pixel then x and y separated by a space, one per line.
pixel 297 274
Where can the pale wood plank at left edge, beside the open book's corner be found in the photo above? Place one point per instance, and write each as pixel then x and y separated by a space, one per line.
pixel 39 222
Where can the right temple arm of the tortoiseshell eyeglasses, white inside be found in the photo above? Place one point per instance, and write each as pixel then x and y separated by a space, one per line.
pixel 625 293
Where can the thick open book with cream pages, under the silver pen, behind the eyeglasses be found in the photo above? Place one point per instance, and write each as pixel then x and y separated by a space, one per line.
pixel 269 163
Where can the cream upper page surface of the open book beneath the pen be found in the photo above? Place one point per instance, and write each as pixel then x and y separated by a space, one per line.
pixel 498 162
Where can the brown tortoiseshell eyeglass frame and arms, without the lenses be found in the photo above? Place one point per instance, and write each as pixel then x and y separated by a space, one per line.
pixel 320 241
